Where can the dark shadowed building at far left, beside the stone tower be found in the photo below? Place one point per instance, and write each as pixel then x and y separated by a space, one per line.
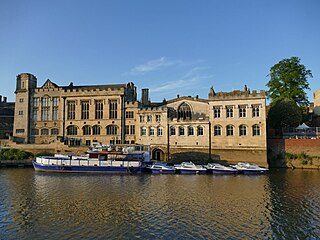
pixel 6 118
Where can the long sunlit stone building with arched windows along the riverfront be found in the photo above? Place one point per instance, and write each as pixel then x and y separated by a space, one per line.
pixel 227 125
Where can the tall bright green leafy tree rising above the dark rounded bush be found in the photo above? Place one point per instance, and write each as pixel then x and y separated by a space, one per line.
pixel 288 80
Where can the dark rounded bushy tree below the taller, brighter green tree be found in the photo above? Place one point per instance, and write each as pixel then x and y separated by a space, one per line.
pixel 284 113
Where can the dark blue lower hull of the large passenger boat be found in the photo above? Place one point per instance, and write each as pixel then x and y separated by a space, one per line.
pixel 89 169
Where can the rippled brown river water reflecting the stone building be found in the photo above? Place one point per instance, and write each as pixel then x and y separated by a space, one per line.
pixel 280 205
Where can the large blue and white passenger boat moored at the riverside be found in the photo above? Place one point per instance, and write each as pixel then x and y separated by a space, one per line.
pixel 128 160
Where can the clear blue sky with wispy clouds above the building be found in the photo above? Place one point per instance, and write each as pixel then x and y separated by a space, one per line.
pixel 169 46
